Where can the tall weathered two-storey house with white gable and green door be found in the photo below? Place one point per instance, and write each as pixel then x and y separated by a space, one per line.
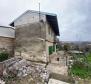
pixel 35 34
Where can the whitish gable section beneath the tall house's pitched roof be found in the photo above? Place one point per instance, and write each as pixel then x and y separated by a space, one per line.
pixel 29 17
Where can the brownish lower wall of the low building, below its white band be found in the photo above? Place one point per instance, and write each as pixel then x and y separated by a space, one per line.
pixel 7 44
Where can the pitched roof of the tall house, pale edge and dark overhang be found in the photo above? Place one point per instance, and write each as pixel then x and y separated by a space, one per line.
pixel 51 18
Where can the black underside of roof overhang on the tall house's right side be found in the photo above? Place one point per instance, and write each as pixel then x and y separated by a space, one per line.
pixel 52 20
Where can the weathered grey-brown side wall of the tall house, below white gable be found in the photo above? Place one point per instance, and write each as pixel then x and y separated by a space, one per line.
pixel 30 42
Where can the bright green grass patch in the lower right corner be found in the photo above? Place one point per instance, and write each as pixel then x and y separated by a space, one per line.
pixel 79 69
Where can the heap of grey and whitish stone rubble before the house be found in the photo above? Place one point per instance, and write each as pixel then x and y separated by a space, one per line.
pixel 22 68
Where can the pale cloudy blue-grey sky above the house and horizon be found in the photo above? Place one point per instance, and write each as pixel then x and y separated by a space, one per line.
pixel 73 15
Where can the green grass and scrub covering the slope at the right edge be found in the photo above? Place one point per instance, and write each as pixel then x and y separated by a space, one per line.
pixel 81 66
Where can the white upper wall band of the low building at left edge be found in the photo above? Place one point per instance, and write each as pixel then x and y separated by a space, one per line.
pixel 7 32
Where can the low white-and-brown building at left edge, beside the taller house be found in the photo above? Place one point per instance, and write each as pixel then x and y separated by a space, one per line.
pixel 7 37
